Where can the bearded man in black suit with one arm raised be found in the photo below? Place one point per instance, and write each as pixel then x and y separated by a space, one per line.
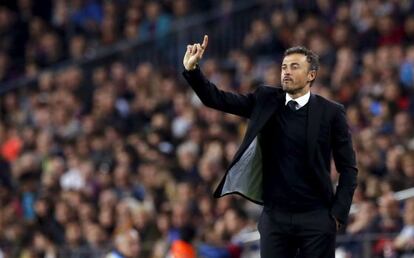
pixel 284 159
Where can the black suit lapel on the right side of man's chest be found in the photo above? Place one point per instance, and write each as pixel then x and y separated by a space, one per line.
pixel 314 119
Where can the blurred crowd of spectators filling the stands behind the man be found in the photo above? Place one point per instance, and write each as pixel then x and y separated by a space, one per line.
pixel 122 162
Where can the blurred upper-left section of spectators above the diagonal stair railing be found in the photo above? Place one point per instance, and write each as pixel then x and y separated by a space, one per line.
pixel 39 34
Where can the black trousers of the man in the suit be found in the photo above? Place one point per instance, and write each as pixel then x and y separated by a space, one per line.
pixel 293 235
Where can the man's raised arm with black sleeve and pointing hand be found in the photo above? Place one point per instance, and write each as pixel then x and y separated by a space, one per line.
pixel 208 93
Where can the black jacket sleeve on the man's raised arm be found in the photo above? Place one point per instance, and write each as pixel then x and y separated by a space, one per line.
pixel 211 96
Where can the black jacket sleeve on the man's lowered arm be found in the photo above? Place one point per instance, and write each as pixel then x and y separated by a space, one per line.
pixel 345 162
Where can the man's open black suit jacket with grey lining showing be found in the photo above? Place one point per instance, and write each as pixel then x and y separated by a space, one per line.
pixel 327 133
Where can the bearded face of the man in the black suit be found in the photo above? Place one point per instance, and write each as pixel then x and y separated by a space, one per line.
pixel 296 76
